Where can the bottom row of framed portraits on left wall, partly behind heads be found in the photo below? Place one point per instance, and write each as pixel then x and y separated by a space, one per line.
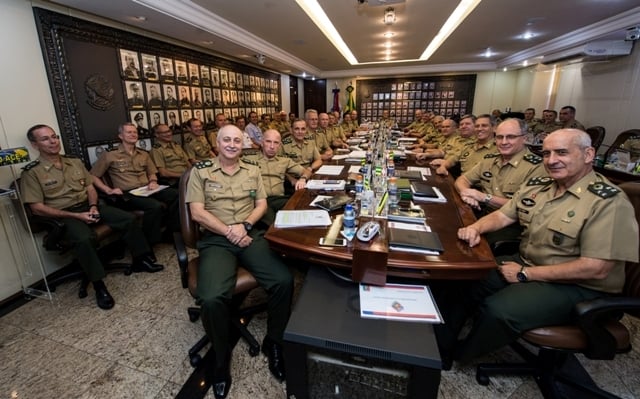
pixel 174 117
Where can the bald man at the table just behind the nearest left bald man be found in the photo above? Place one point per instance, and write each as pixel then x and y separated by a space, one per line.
pixel 274 170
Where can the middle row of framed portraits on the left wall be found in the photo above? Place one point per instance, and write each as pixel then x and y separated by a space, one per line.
pixel 156 95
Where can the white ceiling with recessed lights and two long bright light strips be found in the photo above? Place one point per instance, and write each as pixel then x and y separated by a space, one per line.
pixel 292 44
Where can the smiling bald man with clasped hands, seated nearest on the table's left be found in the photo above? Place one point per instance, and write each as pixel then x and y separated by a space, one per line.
pixel 227 198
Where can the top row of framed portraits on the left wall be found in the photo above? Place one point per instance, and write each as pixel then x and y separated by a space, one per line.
pixel 149 67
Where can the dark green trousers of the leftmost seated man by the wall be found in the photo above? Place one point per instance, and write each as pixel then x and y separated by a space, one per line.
pixel 83 238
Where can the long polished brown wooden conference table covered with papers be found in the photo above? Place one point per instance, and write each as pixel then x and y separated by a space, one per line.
pixel 457 261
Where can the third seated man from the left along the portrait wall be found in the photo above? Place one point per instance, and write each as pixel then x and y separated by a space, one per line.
pixel 168 156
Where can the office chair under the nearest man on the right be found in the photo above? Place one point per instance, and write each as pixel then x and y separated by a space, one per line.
pixel 598 334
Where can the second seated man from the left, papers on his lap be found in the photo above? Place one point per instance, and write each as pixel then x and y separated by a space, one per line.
pixel 129 167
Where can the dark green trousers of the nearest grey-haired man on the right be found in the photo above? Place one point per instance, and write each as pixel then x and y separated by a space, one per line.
pixel 503 311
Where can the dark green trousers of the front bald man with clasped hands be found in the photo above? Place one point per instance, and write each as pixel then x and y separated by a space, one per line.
pixel 217 278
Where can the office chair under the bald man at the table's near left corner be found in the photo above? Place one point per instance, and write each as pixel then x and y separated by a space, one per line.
pixel 245 283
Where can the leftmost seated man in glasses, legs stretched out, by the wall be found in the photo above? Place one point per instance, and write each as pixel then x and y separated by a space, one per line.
pixel 59 186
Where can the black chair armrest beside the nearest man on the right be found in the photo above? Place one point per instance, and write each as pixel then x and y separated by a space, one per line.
pixel 593 317
